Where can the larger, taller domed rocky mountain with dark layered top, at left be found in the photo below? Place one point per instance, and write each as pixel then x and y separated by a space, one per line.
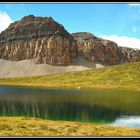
pixel 38 38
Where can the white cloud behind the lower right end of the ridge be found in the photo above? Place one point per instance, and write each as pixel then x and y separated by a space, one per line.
pixel 123 41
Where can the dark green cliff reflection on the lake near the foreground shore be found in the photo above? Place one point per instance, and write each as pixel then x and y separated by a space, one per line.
pixel 59 111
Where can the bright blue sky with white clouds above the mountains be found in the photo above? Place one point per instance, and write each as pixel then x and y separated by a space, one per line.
pixel 117 22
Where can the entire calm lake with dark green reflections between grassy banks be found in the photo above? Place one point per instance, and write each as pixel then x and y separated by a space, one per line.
pixel 110 107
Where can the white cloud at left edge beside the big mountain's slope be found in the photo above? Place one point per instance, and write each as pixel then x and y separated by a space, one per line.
pixel 5 21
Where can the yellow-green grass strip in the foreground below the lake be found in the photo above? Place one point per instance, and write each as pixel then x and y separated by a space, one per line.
pixel 22 126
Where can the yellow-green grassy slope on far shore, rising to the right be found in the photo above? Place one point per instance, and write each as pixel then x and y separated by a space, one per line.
pixel 121 76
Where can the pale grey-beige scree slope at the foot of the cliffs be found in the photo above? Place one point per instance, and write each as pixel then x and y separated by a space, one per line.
pixel 25 68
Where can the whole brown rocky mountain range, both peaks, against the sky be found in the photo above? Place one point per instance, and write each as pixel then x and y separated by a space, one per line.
pixel 46 41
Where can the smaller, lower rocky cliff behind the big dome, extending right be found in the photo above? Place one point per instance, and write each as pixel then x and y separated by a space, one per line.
pixel 102 51
